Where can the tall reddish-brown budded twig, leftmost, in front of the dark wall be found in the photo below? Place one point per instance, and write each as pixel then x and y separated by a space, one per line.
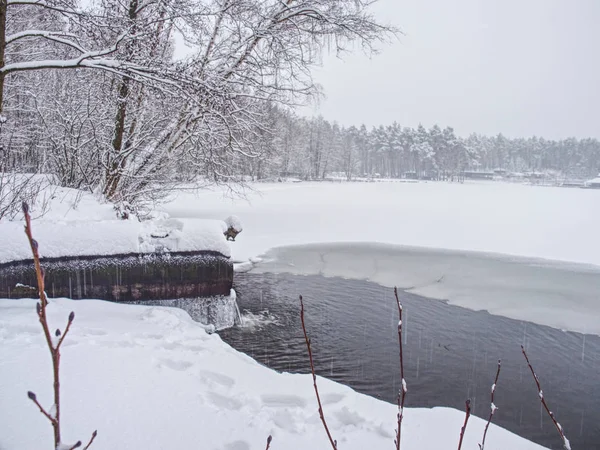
pixel 53 345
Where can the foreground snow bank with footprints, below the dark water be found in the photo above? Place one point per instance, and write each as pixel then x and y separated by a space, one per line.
pixel 151 378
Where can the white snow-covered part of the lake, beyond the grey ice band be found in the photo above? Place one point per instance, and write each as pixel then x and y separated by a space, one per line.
pixel 531 221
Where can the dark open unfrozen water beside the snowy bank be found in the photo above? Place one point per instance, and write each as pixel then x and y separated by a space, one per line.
pixel 450 352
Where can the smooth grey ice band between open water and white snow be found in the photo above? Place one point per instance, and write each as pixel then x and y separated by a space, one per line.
pixel 560 295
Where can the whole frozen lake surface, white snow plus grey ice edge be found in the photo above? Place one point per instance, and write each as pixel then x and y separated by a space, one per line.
pixel 558 224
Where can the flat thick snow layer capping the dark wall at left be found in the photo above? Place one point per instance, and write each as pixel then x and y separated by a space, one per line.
pixel 110 237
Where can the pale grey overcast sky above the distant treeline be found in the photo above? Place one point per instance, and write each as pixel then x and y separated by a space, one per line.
pixel 520 67
